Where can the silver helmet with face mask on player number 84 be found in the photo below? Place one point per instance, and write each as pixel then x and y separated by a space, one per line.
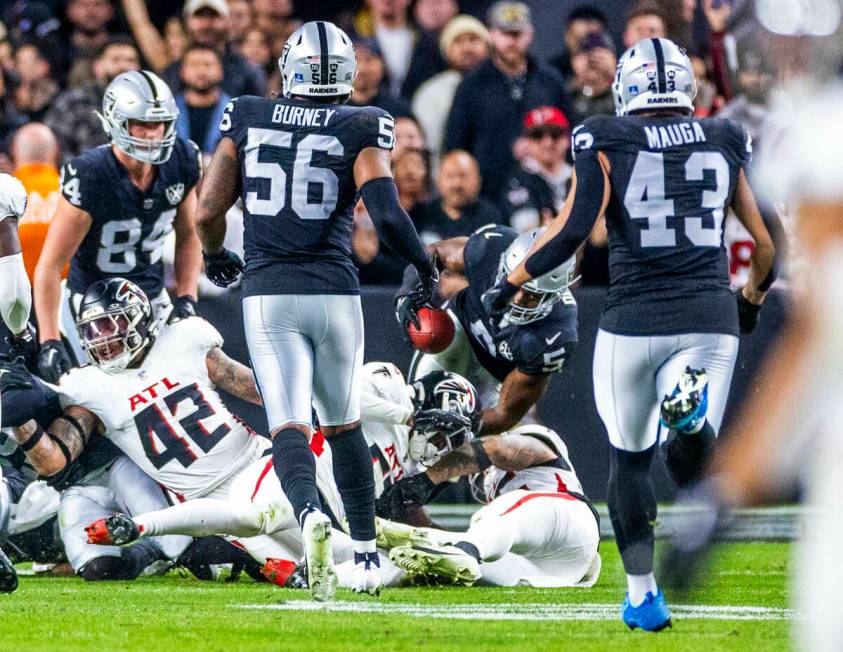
pixel 142 96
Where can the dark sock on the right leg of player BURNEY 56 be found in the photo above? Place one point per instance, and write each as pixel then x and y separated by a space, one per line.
pixel 356 484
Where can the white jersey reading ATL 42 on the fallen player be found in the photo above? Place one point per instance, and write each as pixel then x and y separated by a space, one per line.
pixel 166 415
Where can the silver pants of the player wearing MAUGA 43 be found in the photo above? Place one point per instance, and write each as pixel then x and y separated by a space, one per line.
pixel 632 374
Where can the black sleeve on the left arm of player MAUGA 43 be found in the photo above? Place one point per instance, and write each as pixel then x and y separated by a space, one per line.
pixel 584 213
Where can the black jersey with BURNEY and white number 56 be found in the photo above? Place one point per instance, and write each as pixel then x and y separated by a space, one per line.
pixel 297 168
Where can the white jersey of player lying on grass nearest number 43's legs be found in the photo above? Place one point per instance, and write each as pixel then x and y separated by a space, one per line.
pixel 556 476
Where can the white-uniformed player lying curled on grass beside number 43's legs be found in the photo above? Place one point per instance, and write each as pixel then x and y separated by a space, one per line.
pixel 537 528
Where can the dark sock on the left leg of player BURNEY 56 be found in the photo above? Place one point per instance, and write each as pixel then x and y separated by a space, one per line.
pixel 295 467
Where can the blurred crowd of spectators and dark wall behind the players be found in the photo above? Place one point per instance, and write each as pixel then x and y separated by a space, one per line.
pixel 52 60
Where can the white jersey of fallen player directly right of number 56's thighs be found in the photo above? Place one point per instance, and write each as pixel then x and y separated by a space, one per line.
pixel 385 406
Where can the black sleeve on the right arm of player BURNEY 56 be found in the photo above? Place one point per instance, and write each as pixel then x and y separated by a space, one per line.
pixel 392 222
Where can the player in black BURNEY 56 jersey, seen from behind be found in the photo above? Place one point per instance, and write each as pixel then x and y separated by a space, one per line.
pixel 298 162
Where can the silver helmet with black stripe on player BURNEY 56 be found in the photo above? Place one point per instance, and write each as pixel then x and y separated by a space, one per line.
pixel 318 61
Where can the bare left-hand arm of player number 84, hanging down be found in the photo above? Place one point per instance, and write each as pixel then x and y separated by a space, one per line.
pixel 67 230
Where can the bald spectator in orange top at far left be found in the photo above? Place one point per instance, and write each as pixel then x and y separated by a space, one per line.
pixel 35 157
